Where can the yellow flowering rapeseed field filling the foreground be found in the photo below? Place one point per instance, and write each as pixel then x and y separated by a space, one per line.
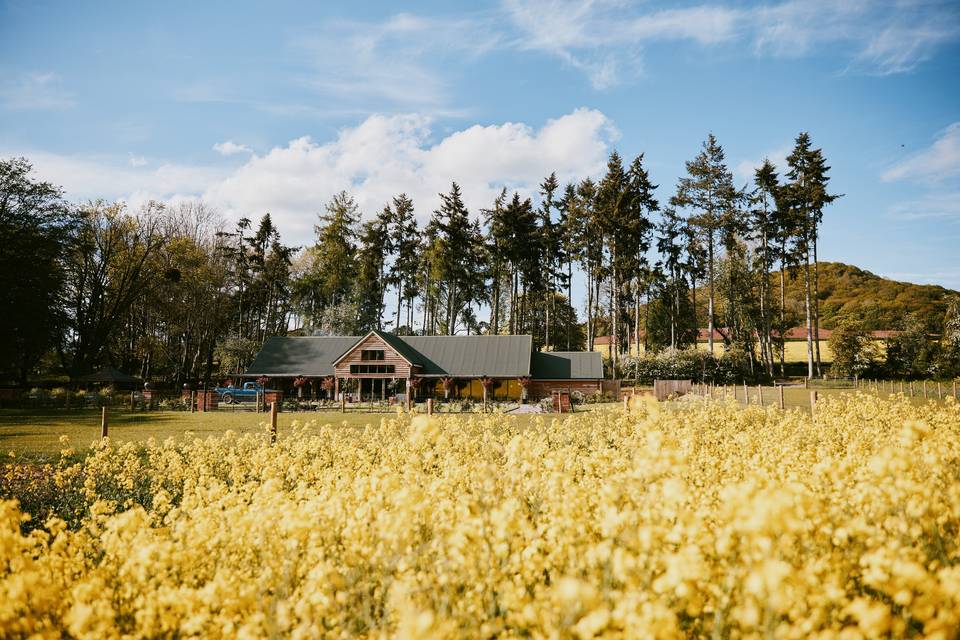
pixel 705 520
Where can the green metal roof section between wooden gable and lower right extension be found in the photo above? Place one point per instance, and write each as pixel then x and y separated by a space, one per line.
pixel 473 356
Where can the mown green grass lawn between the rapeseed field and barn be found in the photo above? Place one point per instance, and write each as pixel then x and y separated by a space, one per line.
pixel 35 434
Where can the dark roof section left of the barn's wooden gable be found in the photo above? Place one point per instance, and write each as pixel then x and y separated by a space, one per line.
pixel 289 356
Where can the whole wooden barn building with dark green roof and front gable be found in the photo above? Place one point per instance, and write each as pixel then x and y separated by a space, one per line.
pixel 380 365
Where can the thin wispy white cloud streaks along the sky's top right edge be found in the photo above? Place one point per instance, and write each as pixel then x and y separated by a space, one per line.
pixel 602 37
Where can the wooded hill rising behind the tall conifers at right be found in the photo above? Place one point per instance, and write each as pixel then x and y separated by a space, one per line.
pixel 848 291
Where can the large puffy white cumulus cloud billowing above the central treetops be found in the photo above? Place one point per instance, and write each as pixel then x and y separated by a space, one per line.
pixel 384 156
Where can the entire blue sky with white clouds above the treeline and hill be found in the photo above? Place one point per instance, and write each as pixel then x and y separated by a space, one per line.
pixel 275 106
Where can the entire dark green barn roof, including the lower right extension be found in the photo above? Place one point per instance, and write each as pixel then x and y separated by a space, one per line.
pixel 455 356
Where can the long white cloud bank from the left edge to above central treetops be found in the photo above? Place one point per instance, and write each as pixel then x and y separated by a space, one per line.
pixel 375 160
